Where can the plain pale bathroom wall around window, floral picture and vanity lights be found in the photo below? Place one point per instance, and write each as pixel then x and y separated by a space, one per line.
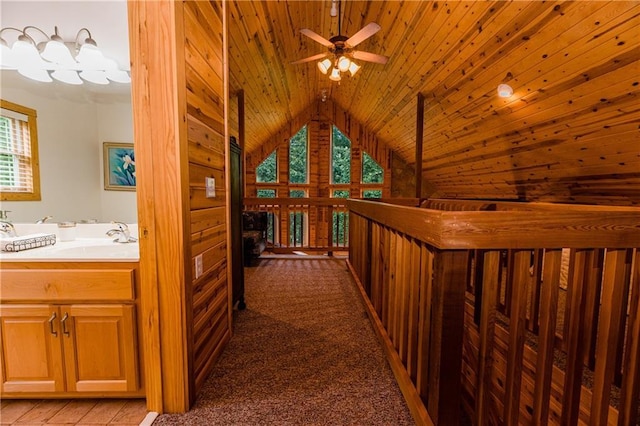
pixel 73 121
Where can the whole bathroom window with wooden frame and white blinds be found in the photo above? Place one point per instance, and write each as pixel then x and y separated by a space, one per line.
pixel 19 172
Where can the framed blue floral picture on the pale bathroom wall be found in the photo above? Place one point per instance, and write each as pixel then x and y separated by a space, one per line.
pixel 119 166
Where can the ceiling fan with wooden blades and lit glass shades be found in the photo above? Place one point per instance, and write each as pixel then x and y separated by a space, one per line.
pixel 341 51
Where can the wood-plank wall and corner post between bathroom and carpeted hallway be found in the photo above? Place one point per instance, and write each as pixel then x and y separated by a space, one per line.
pixel 178 82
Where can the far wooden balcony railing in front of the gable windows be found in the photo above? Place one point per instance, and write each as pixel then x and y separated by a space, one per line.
pixel 304 224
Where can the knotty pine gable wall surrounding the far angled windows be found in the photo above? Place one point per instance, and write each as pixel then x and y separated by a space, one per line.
pixel 319 118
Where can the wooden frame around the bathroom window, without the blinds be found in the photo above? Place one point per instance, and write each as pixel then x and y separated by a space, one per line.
pixel 34 163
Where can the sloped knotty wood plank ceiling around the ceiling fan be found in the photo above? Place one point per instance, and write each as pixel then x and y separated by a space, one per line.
pixel 569 133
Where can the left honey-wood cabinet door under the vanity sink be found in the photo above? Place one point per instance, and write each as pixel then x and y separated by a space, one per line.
pixel 31 349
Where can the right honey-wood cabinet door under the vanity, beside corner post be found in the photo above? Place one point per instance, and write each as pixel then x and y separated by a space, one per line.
pixel 100 348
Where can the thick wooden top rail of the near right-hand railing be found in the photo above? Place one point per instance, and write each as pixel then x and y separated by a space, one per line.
pixel 574 227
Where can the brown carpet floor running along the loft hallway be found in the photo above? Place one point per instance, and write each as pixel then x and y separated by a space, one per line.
pixel 303 353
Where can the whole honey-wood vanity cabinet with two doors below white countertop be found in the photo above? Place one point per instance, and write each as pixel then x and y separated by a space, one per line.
pixel 66 345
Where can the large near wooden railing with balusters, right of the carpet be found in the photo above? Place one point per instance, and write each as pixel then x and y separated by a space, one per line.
pixel 520 313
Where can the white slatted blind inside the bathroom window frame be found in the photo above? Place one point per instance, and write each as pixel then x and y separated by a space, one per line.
pixel 16 174
